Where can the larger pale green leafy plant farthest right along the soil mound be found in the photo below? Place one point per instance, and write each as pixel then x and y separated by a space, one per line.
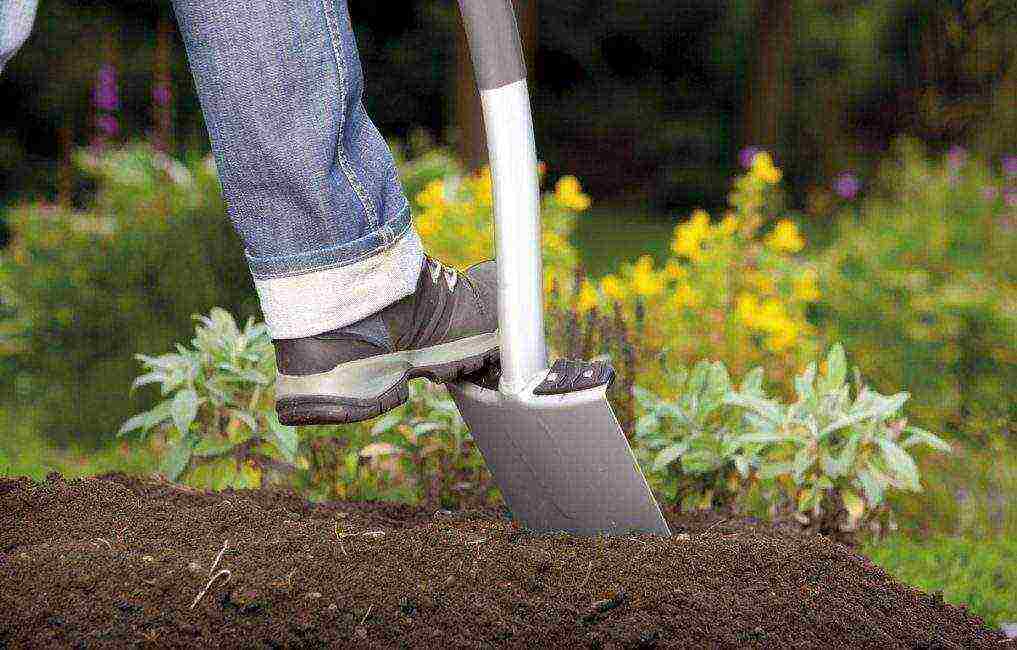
pixel 842 455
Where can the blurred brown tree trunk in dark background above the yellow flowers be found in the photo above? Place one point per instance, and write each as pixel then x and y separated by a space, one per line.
pixel 769 99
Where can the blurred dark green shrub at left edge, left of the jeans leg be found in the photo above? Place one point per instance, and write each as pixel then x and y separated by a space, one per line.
pixel 90 288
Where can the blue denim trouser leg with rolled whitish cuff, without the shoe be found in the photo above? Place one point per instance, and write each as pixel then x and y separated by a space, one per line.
pixel 310 184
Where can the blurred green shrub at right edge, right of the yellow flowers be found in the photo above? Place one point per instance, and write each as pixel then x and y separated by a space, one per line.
pixel 920 285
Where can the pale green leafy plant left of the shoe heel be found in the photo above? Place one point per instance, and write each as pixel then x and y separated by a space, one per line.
pixel 220 426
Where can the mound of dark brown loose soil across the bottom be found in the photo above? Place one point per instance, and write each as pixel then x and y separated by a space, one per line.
pixel 119 561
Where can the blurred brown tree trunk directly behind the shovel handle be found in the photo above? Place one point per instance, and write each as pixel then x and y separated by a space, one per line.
pixel 471 144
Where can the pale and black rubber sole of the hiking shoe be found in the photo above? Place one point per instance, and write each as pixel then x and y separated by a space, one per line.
pixel 366 389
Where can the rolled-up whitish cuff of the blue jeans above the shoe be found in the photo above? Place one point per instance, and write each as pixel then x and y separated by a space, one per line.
pixel 308 305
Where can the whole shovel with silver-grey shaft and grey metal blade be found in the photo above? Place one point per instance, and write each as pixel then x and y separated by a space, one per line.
pixel 548 433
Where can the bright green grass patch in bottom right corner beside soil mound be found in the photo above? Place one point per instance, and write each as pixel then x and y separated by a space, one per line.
pixel 975 572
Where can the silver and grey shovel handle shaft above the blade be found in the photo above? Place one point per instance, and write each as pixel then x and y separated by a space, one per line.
pixel 498 57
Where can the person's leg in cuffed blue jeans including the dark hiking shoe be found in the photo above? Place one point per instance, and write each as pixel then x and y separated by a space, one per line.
pixel 354 307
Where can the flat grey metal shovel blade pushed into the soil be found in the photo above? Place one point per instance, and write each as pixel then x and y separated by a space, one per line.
pixel 561 461
